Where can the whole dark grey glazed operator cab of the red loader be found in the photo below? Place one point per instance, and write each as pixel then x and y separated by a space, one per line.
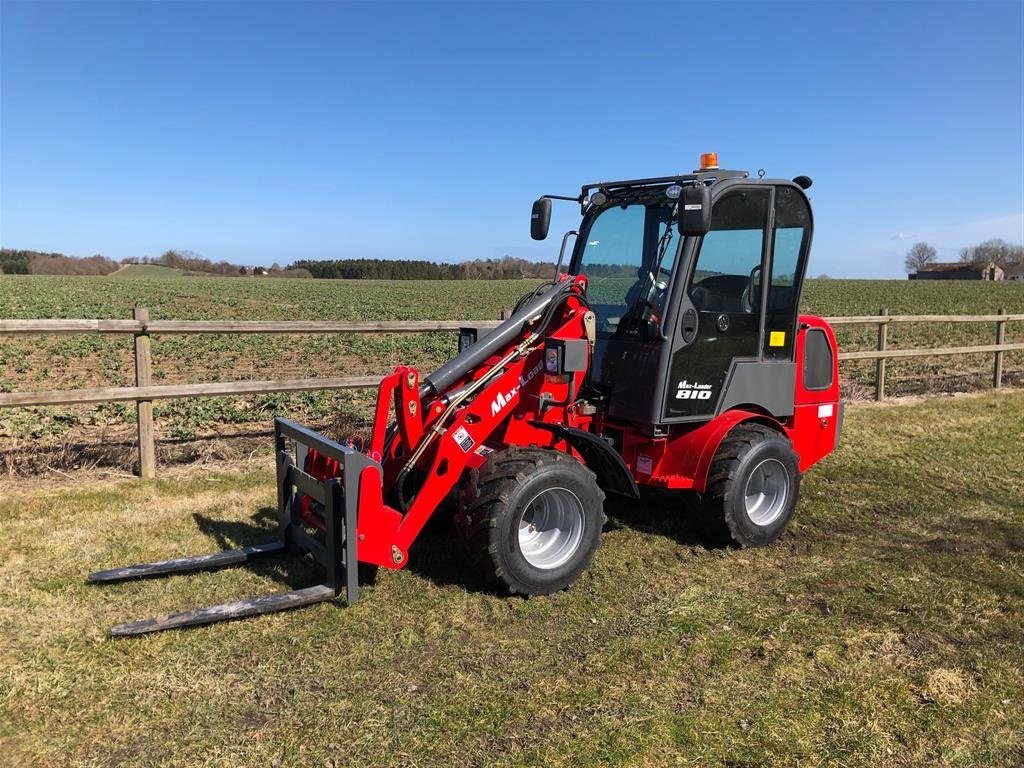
pixel 691 326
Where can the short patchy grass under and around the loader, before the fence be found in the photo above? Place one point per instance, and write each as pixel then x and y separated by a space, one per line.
pixel 884 630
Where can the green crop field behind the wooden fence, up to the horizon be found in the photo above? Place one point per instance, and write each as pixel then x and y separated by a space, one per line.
pixel 75 362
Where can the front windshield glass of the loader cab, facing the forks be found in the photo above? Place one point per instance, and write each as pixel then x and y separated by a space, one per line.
pixel 621 260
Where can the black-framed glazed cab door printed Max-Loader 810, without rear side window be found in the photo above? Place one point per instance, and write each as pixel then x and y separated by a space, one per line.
pixel 721 321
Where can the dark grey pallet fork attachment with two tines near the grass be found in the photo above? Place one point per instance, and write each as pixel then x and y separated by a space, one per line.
pixel 336 505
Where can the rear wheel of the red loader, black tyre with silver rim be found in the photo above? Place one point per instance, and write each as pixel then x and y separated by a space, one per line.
pixel 754 485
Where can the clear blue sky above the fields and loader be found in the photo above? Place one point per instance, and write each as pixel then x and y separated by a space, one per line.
pixel 261 133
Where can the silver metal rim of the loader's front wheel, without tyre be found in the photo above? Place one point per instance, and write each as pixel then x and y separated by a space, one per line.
pixel 551 529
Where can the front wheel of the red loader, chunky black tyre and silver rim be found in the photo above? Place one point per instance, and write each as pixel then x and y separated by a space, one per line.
pixel 532 520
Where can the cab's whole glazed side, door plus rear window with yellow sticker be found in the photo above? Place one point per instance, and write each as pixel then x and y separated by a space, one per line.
pixel 735 345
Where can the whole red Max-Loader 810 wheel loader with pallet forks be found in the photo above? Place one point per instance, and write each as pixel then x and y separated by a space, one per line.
pixel 670 355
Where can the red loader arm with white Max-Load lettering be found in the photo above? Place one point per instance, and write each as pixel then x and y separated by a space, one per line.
pixel 443 436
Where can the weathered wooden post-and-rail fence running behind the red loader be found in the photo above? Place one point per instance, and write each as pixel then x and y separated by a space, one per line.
pixel 145 392
